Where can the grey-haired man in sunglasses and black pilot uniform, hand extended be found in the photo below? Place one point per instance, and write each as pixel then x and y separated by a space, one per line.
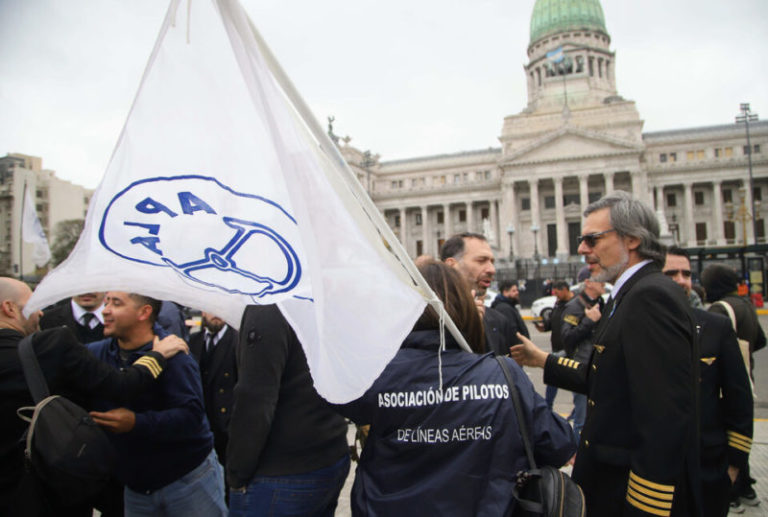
pixel 638 453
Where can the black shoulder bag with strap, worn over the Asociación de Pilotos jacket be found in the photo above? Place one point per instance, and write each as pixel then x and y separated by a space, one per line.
pixel 541 491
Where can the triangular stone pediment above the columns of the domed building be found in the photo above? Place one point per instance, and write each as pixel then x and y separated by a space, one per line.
pixel 570 144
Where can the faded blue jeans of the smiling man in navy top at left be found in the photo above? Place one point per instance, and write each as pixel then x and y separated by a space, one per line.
pixel 199 493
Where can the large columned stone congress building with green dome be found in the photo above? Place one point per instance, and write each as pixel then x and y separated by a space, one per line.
pixel 576 140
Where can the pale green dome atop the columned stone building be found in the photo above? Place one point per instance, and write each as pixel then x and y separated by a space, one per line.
pixel 553 16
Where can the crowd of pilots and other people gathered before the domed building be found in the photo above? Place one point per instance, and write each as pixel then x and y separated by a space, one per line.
pixel 227 422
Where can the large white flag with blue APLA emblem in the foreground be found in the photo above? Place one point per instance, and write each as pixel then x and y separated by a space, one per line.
pixel 219 195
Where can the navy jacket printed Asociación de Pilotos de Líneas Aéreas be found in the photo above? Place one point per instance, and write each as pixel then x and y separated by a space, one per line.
pixel 458 457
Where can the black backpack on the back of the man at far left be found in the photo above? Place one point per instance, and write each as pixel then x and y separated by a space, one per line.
pixel 65 449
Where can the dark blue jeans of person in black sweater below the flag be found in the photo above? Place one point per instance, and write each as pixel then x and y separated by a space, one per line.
pixel 310 494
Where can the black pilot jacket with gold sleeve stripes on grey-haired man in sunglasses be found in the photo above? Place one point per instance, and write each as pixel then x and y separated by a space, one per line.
pixel 638 453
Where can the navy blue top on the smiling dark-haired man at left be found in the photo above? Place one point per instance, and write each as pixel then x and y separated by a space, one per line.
pixel 171 436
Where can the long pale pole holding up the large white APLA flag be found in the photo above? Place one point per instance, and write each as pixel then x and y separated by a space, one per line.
pixel 354 185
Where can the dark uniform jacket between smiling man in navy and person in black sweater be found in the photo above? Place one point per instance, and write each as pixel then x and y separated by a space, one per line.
pixel 218 371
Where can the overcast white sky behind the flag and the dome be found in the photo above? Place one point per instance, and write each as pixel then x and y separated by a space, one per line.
pixel 403 78
